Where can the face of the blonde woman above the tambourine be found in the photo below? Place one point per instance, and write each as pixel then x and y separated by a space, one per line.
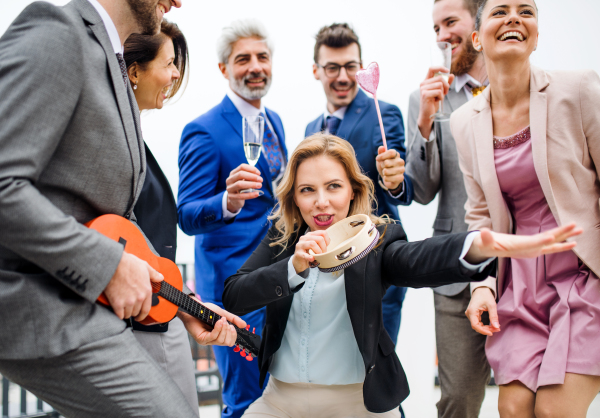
pixel 322 192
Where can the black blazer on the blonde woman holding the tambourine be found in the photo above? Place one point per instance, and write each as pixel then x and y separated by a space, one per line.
pixel 262 281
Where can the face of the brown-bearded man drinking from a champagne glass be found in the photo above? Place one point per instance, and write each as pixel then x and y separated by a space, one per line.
pixel 453 23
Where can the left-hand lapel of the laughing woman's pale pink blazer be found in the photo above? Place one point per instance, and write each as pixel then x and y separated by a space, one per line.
pixel 482 131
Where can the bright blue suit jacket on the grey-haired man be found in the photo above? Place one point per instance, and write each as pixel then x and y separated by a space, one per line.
pixel 211 147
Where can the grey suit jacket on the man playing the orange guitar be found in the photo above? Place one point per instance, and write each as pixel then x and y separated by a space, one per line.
pixel 69 152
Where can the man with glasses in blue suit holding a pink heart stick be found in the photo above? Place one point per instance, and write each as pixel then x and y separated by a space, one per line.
pixel 351 114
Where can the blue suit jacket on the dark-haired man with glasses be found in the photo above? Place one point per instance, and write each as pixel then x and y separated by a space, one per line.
pixel 360 127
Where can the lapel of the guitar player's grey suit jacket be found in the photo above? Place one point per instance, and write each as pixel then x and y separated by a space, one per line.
pixel 126 110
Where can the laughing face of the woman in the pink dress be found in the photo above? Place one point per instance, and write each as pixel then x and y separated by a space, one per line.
pixel 509 29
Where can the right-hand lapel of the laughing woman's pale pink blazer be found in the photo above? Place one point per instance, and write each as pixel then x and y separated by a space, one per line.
pixel 538 111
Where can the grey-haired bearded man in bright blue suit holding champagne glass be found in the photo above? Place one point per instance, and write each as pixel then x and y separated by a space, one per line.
pixel 229 224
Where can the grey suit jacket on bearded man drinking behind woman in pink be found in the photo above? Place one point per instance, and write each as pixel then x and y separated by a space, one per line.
pixel 433 168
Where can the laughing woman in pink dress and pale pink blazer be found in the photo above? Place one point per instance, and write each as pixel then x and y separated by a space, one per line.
pixel 528 148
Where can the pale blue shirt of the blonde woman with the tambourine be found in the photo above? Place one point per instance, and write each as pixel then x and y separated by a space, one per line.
pixel 318 345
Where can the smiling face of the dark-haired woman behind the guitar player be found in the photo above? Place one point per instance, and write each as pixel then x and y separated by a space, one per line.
pixel 155 80
